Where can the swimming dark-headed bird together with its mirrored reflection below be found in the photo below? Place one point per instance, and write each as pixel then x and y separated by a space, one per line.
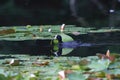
pixel 63 43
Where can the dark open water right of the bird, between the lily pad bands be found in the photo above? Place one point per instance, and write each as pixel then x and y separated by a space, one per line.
pixel 94 43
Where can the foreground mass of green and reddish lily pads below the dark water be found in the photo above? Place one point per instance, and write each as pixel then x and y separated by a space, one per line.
pixel 25 67
